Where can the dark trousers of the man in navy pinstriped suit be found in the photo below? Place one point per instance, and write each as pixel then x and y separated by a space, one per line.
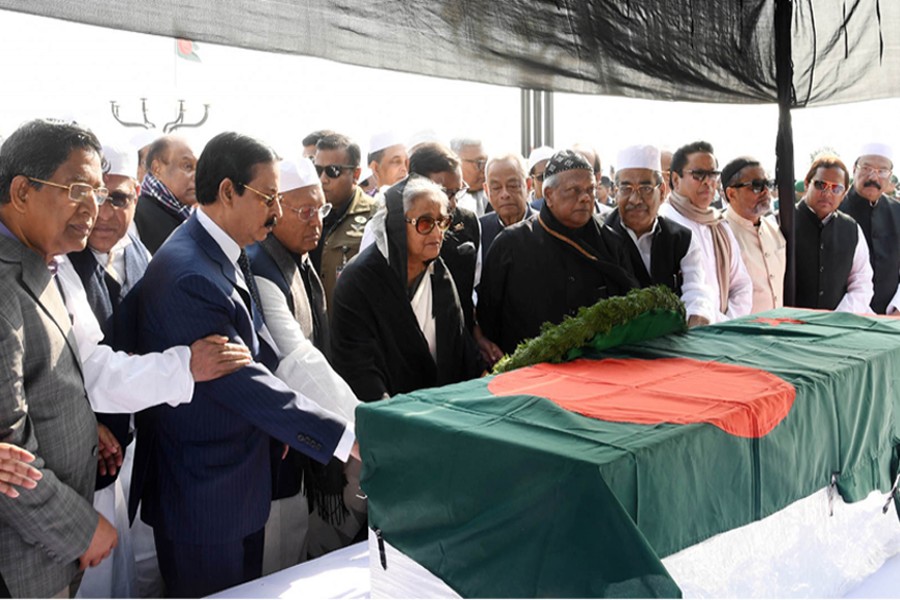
pixel 197 570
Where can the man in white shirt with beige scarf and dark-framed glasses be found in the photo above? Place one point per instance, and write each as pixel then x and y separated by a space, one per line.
pixel 695 175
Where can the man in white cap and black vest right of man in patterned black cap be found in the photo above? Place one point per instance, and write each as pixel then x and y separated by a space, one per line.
pixel 662 251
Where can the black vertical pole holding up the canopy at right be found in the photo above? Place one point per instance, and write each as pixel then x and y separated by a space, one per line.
pixel 784 143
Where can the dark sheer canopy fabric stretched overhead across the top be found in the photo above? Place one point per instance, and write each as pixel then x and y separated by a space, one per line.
pixel 689 50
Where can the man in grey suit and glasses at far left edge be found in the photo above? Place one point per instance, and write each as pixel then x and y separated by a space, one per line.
pixel 50 186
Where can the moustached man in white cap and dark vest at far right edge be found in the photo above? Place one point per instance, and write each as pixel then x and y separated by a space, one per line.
pixel 879 216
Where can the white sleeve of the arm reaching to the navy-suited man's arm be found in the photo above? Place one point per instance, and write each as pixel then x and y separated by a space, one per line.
pixel 117 382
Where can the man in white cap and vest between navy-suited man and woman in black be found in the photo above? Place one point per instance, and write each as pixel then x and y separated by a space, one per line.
pixel 293 301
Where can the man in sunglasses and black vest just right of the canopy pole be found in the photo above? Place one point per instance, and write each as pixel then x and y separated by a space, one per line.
pixel 833 270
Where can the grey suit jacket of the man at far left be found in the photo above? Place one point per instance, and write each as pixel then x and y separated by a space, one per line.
pixel 43 408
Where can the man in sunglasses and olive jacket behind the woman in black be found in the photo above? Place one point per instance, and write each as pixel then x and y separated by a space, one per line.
pixel 337 164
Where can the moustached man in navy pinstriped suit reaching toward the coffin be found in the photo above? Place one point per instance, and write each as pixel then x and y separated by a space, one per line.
pixel 206 488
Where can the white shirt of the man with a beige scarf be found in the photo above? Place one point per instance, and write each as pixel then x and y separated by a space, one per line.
pixel 740 289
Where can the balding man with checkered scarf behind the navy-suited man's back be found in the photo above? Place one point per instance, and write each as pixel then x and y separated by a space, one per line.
pixel 167 190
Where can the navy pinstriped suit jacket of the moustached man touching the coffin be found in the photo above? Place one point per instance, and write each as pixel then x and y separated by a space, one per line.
pixel 203 472
